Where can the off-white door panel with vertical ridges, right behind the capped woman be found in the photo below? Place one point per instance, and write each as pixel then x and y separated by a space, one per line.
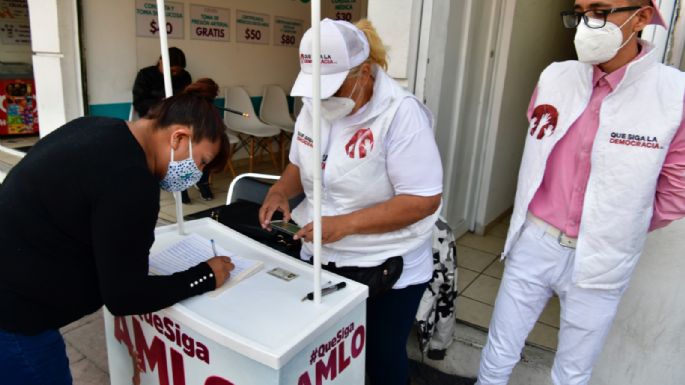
pixel 460 68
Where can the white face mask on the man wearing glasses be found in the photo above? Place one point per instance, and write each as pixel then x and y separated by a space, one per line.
pixel 599 45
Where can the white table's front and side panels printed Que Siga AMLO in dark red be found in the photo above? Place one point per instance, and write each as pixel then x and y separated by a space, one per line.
pixel 168 351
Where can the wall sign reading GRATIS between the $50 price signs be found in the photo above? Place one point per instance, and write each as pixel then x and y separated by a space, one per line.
pixel 209 23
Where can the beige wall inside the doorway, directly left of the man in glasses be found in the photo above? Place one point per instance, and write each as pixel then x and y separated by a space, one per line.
pixel 537 39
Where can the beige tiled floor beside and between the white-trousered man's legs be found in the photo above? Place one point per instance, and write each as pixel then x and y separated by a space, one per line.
pixel 480 273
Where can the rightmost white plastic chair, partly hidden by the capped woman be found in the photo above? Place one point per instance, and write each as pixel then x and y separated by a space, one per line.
pixel 274 111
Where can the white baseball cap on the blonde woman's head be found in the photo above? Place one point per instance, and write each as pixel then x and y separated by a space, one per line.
pixel 343 47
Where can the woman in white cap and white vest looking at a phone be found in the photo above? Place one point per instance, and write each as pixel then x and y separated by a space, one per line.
pixel 382 185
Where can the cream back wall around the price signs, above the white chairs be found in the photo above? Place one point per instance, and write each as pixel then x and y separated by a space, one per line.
pixel 114 54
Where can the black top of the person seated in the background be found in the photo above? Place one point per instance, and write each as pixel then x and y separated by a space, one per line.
pixel 148 88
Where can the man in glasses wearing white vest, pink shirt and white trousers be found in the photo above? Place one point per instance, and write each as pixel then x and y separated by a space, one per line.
pixel 604 163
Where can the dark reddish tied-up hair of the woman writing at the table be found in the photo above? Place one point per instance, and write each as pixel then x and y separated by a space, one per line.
pixel 194 107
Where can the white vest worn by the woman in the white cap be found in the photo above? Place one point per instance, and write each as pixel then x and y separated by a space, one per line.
pixel 358 180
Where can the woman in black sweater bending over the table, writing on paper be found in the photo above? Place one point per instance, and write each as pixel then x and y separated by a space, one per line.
pixel 67 251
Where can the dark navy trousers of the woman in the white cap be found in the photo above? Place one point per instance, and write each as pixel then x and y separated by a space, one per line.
pixel 389 318
